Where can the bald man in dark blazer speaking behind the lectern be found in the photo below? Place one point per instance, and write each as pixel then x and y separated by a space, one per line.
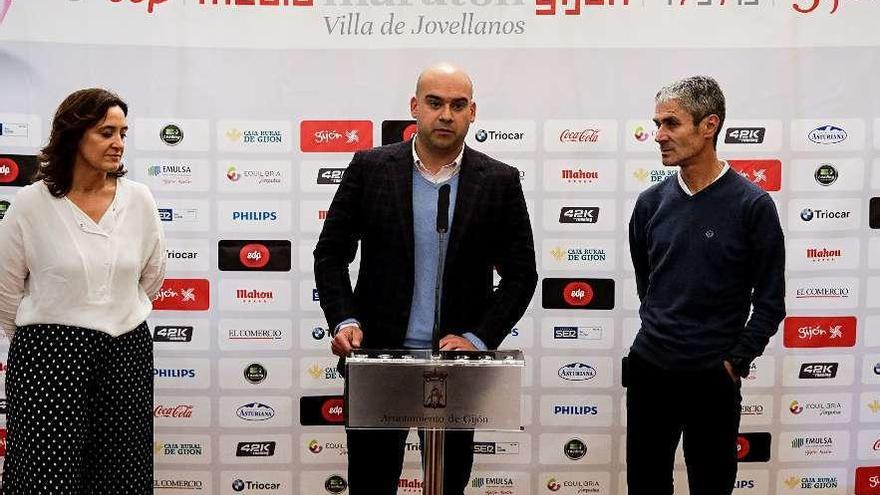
pixel 387 201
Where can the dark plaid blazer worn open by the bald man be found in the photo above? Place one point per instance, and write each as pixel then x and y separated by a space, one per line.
pixel 490 229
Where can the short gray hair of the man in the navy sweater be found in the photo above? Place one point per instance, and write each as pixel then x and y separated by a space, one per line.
pixel 700 96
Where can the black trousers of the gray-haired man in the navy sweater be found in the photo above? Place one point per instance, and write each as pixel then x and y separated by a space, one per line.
pixel 702 407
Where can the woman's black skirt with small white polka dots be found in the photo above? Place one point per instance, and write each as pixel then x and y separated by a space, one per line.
pixel 79 412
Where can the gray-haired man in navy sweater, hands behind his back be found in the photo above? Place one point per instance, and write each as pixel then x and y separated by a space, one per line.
pixel 706 245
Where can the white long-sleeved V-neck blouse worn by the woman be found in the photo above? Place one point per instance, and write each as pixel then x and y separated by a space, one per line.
pixel 60 267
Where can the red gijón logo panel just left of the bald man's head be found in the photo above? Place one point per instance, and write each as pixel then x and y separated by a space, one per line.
pixel 324 136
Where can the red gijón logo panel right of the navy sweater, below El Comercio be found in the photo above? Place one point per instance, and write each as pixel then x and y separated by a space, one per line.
pixel 819 331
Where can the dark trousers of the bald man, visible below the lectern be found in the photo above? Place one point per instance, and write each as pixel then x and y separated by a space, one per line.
pixel 375 461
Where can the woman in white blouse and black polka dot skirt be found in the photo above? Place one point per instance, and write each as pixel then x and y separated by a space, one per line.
pixel 83 256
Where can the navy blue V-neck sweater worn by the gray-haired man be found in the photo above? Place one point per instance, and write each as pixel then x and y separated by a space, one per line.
pixel 700 262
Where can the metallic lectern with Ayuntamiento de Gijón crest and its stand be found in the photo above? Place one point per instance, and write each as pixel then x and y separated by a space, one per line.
pixel 446 390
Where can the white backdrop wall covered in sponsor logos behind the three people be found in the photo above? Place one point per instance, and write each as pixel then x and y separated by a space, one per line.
pixel 245 113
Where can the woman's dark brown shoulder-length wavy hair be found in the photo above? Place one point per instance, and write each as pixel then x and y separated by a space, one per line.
pixel 77 113
